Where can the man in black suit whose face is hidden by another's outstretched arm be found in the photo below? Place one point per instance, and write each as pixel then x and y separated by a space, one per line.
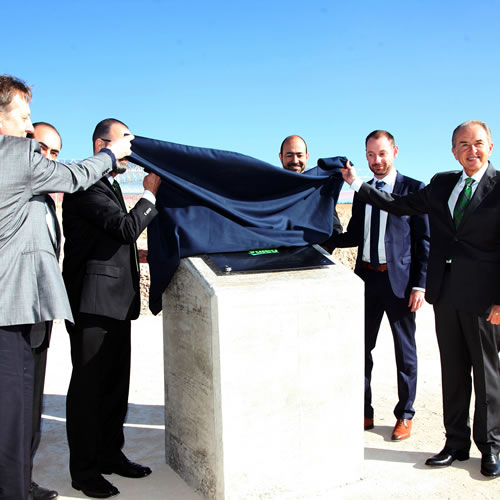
pixel 101 273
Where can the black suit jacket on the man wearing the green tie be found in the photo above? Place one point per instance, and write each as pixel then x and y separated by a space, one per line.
pixel 474 247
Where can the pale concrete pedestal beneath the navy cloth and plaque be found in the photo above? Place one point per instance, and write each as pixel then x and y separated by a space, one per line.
pixel 264 381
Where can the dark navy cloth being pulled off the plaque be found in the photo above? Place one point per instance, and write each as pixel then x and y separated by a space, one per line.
pixel 213 201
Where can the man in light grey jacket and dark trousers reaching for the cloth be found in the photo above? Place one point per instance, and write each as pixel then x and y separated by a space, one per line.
pixel 32 287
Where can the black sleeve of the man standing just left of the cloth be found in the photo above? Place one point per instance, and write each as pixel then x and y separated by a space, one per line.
pixel 97 207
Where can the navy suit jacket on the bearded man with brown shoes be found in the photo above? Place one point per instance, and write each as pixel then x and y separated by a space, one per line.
pixel 406 241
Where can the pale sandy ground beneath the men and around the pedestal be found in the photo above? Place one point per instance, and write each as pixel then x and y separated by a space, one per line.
pixel 393 470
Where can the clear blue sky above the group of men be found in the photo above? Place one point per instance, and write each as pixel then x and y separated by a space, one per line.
pixel 241 75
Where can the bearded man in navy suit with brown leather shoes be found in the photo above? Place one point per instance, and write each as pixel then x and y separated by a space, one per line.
pixel 392 261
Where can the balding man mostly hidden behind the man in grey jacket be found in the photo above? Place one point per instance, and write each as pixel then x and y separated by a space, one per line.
pixel 50 146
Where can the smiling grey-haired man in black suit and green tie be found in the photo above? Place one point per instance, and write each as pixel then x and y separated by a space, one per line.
pixel 463 284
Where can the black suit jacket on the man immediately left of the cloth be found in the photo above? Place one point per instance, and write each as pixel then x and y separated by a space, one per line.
pixel 99 267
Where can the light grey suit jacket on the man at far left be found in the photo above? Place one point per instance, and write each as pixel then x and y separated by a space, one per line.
pixel 32 287
